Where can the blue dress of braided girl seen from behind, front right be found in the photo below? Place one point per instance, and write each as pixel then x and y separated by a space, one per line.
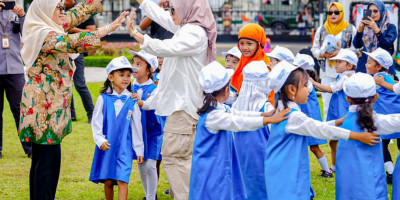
pixel 360 173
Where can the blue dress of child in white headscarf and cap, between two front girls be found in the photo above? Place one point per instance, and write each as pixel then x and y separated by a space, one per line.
pixel 250 147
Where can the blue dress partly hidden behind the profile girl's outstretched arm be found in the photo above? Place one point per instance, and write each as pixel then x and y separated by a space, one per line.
pixel 311 109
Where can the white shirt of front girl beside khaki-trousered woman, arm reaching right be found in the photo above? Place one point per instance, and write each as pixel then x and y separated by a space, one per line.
pixel 225 118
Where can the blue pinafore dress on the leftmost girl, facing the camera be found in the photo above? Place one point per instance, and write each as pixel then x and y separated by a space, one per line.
pixel 115 163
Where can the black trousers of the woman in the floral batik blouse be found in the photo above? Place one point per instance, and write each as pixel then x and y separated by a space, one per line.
pixel 45 171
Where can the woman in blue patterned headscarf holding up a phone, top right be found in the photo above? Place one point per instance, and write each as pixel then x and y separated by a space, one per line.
pixel 375 32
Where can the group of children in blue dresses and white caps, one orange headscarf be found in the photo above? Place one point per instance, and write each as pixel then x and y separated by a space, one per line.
pixel 252 136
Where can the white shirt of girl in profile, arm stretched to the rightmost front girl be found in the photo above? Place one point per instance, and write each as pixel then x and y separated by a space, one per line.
pixel 298 123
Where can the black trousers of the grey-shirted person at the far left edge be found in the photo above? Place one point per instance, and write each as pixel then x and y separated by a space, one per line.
pixel 12 85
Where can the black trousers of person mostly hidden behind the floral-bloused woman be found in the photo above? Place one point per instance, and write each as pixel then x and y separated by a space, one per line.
pixel 81 87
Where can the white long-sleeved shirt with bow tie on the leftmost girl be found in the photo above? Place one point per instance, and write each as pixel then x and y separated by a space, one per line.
pixel 136 125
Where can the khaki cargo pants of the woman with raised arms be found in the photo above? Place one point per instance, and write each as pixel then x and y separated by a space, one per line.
pixel 177 147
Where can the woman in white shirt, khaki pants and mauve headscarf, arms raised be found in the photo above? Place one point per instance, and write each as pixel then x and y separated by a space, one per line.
pixel 179 94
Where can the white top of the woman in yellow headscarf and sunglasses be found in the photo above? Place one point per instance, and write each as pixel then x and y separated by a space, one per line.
pixel 316 51
